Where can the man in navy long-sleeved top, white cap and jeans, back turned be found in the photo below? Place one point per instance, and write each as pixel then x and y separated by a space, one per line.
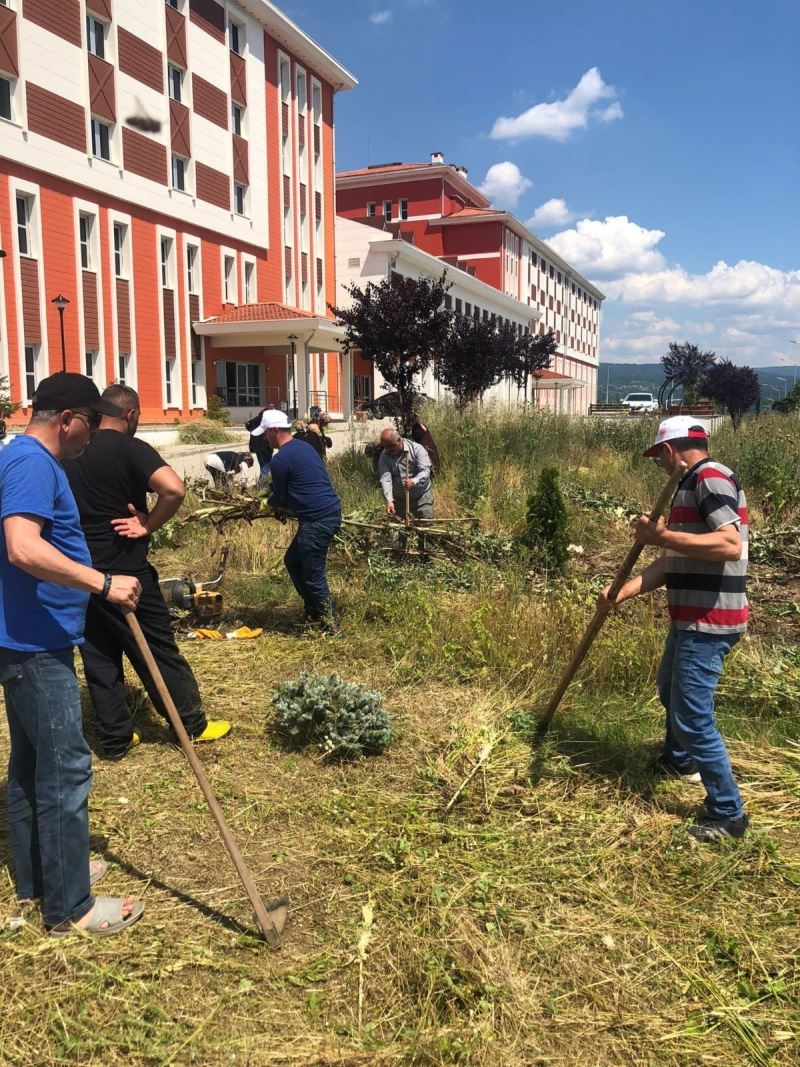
pixel 301 486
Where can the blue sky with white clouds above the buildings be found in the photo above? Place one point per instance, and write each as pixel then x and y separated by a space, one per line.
pixel 654 146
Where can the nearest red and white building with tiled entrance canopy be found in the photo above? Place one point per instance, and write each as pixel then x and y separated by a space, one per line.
pixel 168 168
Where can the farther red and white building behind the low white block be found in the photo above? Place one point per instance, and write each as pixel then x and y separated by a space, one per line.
pixel 437 210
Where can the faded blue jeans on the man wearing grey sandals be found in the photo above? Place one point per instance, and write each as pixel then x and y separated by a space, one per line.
pixel 50 776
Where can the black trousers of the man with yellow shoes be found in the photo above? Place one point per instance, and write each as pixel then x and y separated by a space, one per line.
pixel 107 639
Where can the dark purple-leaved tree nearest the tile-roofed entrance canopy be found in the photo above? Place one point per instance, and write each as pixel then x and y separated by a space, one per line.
pixel 401 325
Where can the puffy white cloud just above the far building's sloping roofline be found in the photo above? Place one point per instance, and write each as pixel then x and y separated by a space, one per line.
pixel 612 246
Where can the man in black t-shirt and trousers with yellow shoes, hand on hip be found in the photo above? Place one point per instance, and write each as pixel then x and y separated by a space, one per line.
pixel 110 482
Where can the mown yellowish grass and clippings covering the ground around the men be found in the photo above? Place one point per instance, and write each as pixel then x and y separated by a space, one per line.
pixel 463 898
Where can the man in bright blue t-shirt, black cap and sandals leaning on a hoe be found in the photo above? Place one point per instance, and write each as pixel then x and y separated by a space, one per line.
pixel 46 579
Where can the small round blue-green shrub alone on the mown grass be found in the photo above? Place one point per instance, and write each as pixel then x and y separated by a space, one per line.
pixel 342 720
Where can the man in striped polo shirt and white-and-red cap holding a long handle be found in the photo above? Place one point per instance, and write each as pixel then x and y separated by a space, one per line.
pixel 705 569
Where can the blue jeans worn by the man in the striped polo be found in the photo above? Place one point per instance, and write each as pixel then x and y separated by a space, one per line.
pixel 689 675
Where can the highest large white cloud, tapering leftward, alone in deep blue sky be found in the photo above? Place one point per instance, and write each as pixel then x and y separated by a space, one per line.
pixel 559 119
